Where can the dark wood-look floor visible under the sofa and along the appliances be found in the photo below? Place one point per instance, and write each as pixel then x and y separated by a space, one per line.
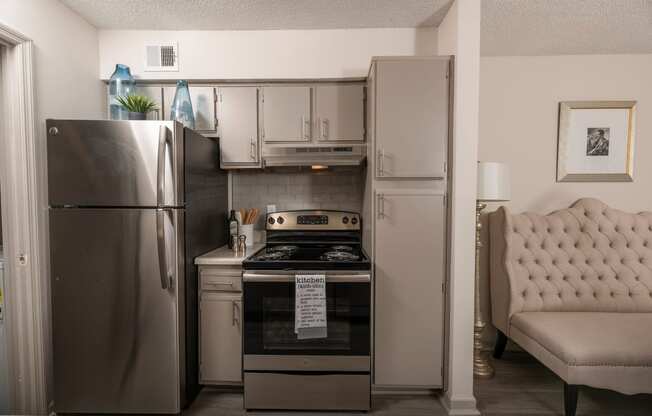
pixel 521 387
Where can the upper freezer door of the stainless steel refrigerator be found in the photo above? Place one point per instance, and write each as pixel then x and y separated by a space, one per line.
pixel 102 163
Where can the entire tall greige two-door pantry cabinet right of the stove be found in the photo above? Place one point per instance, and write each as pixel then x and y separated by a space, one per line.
pixel 405 204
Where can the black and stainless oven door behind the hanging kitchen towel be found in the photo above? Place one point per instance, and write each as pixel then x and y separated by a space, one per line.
pixel 269 311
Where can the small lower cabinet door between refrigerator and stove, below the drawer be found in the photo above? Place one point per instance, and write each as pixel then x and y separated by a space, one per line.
pixel 220 334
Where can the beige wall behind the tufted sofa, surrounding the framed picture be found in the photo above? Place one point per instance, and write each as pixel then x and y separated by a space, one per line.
pixel 519 107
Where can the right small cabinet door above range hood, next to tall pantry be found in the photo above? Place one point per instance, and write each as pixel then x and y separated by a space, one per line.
pixel 339 112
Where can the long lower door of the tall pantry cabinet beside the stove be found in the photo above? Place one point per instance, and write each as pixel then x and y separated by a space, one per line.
pixel 409 275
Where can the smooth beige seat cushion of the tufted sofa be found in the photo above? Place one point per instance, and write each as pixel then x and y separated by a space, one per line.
pixel 598 349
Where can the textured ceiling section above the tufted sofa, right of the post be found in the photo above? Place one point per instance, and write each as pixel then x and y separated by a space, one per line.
pixel 551 27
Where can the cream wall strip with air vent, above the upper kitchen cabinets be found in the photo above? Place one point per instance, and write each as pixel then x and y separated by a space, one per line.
pixel 276 54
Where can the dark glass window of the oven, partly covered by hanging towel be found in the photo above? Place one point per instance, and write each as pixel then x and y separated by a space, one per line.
pixel 278 326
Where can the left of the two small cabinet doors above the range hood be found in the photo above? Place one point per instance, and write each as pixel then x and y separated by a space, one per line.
pixel 286 114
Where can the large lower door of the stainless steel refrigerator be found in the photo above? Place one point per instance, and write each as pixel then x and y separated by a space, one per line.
pixel 116 332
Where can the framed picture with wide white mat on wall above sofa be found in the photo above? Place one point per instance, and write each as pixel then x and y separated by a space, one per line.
pixel 596 141
